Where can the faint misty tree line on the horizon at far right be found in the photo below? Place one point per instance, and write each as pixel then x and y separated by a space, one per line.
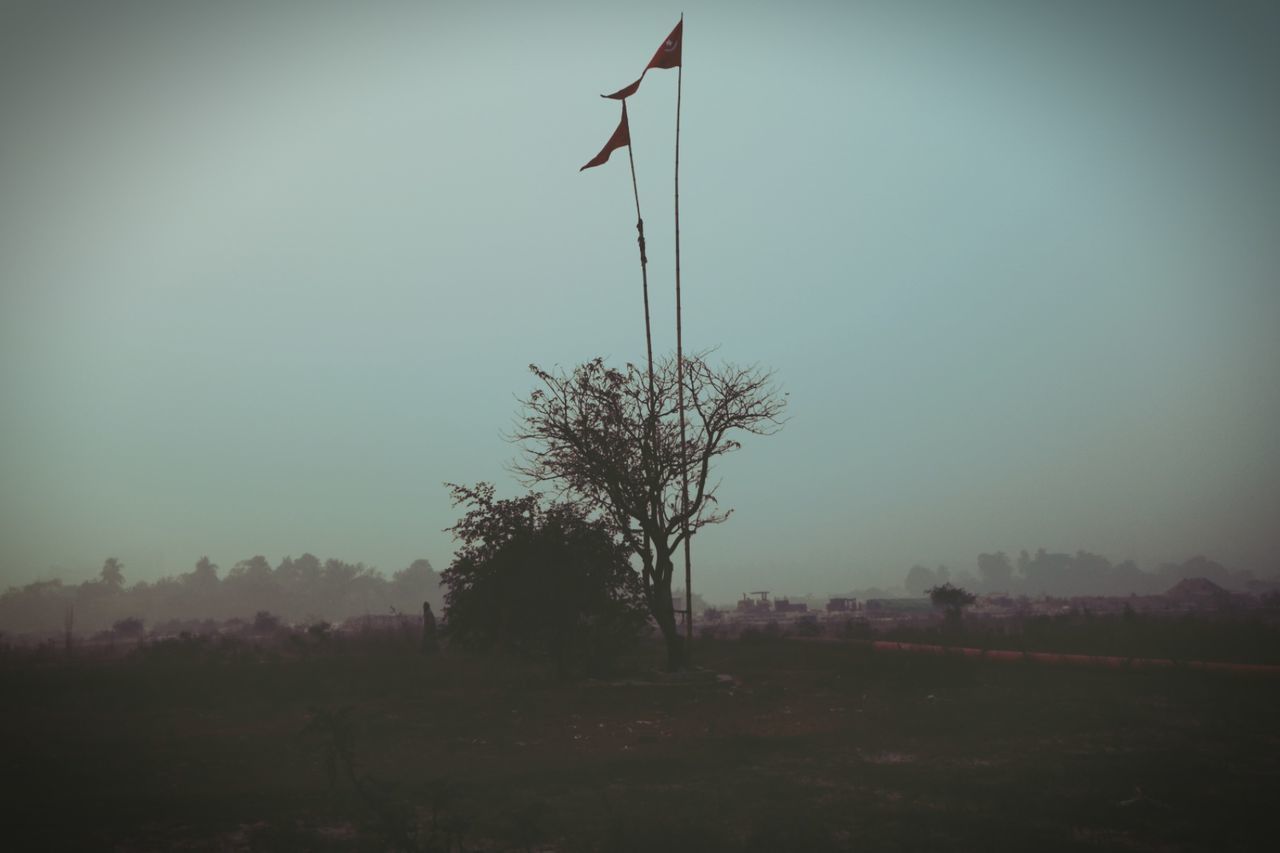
pixel 1080 574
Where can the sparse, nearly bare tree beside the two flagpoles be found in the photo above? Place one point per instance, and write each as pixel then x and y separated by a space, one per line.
pixel 609 437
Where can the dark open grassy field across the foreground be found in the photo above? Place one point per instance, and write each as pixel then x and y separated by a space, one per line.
pixel 806 746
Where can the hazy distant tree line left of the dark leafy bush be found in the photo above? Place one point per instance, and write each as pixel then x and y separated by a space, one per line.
pixel 299 590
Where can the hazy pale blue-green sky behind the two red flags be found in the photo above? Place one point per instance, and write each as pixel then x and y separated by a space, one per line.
pixel 272 273
